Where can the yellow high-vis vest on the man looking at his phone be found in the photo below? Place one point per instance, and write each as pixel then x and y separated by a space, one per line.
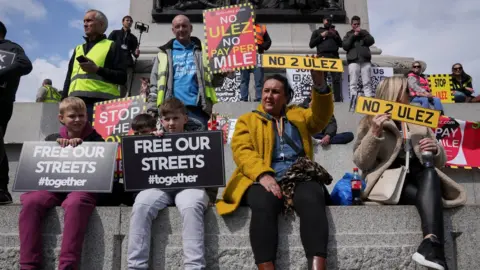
pixel 88 84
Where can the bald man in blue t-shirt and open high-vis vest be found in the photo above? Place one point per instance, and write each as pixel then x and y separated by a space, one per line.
pixel 180 71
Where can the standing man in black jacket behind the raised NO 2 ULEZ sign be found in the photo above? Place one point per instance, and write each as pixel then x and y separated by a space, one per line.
pixel 328 41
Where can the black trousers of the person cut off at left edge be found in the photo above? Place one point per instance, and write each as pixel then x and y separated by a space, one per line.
pixel 6 110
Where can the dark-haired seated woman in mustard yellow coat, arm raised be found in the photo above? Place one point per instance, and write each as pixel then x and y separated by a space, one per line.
pixel 263 151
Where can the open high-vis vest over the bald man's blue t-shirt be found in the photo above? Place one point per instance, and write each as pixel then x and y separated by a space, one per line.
pixel 162 78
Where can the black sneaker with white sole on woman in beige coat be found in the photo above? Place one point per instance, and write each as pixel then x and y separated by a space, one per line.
pixel 430 254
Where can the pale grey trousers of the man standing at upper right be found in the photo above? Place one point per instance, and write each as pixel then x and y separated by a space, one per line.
pixel 355 70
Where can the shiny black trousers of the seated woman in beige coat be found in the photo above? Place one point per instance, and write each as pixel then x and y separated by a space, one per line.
pixel 423 189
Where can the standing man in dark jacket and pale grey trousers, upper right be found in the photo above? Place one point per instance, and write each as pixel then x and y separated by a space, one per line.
pixel 357 44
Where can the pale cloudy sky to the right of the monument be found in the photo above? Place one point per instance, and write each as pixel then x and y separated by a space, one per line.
pixel 439 32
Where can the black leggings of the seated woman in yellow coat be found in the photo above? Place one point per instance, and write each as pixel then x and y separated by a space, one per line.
pixel 309 201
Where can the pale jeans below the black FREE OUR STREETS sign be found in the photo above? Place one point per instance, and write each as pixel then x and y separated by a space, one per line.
pixel 191 204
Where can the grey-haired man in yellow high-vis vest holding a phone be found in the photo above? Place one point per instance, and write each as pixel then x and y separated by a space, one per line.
pixel 97 67
